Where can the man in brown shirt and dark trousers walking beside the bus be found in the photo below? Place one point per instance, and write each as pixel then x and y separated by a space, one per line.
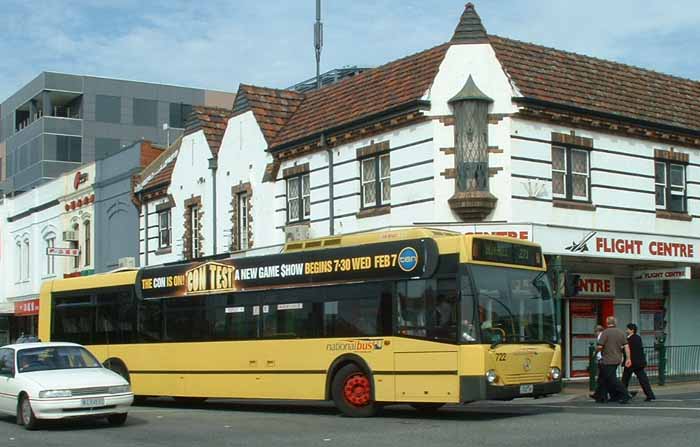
pixel 611 344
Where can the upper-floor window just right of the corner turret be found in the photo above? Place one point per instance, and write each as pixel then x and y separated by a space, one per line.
pixel 570 173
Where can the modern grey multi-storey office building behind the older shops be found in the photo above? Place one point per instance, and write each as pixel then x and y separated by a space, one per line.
pixel 58 121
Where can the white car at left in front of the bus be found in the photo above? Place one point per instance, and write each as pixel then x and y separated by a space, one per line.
pixel 59 381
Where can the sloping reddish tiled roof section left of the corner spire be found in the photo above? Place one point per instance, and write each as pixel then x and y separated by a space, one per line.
pixel 373 91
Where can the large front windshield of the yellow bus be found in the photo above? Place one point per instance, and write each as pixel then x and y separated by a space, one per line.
pixel 513 305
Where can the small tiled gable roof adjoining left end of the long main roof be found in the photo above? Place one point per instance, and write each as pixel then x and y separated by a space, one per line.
pixel 271 107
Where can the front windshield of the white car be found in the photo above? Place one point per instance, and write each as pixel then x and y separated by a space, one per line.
pixel 55 357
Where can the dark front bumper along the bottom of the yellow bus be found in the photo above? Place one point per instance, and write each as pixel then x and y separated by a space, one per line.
pixel 476 388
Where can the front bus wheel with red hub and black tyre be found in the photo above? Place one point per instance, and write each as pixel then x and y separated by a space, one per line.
pixel 352 392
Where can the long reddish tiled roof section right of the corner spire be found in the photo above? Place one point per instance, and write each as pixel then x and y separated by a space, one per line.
pixel 586 82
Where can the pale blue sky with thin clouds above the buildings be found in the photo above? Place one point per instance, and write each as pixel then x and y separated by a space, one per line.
pixel 217 44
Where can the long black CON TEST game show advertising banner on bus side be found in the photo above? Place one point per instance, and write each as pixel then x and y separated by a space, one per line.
pixel 416 258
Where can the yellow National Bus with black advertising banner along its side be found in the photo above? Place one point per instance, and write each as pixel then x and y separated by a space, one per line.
pixel 418 316
